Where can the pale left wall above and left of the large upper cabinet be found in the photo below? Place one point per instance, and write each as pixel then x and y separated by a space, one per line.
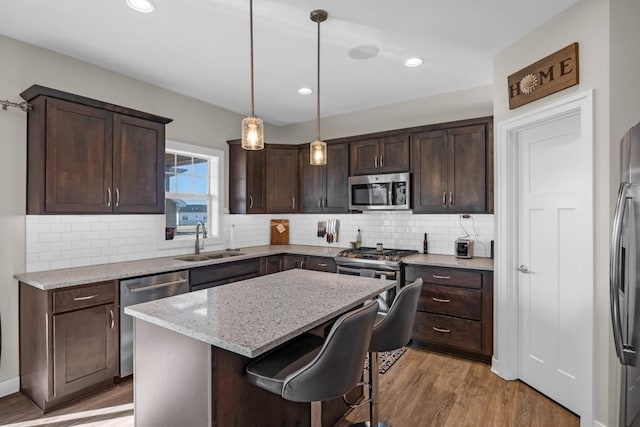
pixel 194 122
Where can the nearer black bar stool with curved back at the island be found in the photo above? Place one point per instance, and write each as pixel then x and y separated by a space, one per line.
pixel 313 369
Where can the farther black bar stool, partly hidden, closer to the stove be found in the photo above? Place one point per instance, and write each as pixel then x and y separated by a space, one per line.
pixel 391 331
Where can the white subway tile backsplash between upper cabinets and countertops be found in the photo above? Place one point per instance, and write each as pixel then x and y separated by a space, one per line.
pixel 60 241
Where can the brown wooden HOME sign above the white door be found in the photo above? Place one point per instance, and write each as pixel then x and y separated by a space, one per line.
pixel 551 74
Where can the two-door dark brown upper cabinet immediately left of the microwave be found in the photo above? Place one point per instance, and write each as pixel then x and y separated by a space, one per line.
pixel 324 188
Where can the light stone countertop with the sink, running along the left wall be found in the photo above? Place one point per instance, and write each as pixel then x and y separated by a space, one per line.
pixel 61 278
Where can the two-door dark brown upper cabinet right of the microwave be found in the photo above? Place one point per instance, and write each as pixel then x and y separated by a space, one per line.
pixel 452 169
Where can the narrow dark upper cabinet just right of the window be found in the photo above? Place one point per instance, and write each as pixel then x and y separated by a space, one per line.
pixel 247 180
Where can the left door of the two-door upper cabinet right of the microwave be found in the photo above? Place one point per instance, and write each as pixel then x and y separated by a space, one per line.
pixel 429 154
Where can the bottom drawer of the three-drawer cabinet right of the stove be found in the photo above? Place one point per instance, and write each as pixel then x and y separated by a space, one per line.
pixel 447 331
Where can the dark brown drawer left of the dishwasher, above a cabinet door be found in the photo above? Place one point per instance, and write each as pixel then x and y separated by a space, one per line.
pixel 84 296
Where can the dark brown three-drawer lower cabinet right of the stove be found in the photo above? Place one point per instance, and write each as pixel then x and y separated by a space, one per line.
pixel 455 311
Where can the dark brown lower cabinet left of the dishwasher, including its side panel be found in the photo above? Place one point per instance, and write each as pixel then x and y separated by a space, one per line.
pixel 68 341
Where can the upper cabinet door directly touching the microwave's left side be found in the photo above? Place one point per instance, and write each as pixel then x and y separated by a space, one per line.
pixel 337 179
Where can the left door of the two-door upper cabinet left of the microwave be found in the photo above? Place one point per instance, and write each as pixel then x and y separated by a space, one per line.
pixel 312 182
